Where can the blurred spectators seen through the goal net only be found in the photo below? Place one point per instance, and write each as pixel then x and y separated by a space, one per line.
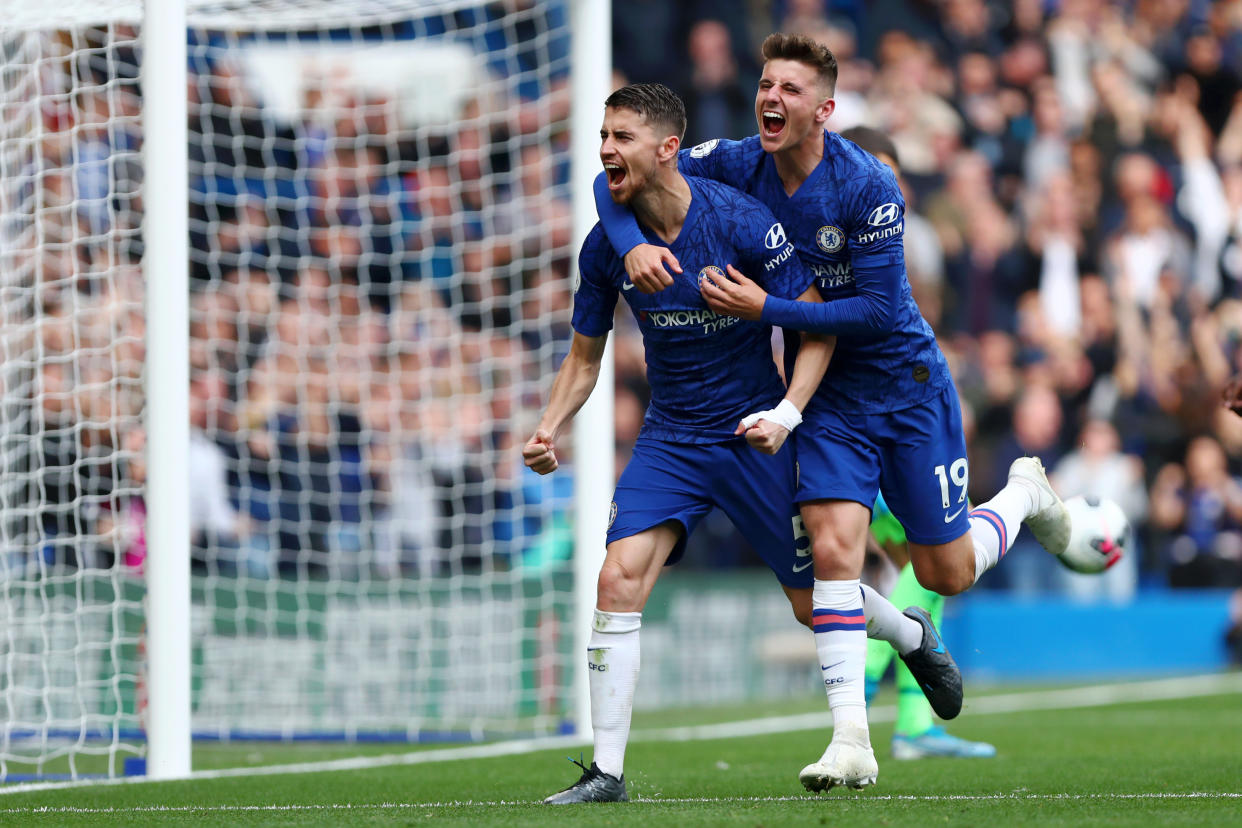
pixel 377 307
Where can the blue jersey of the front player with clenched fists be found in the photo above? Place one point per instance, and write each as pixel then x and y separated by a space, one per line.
pixel 707 372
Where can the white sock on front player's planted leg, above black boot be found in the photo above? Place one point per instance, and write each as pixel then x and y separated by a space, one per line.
pixel 613 665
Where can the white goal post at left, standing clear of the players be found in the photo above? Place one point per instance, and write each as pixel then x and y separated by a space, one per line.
pixel 167 276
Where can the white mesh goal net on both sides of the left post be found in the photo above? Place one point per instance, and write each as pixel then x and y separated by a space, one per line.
pixel 381 254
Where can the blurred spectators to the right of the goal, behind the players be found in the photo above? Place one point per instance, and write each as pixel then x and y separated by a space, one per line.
pixel 1074 178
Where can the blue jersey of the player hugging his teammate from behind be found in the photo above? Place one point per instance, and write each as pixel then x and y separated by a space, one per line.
pixel 850 213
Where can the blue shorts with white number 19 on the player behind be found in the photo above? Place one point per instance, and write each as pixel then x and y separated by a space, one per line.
pixel 916 456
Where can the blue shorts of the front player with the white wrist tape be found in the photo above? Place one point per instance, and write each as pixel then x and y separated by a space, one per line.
pixel 684 482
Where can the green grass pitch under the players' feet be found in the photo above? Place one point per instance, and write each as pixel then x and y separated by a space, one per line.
pixel 1164 763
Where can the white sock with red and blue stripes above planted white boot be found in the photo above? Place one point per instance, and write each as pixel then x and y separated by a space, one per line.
pixel 841 642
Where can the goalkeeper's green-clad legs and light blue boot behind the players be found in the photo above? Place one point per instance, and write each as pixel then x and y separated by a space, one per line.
pixel 917 736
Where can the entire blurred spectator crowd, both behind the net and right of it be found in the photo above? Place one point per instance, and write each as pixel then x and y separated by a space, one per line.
pixel 378 307
